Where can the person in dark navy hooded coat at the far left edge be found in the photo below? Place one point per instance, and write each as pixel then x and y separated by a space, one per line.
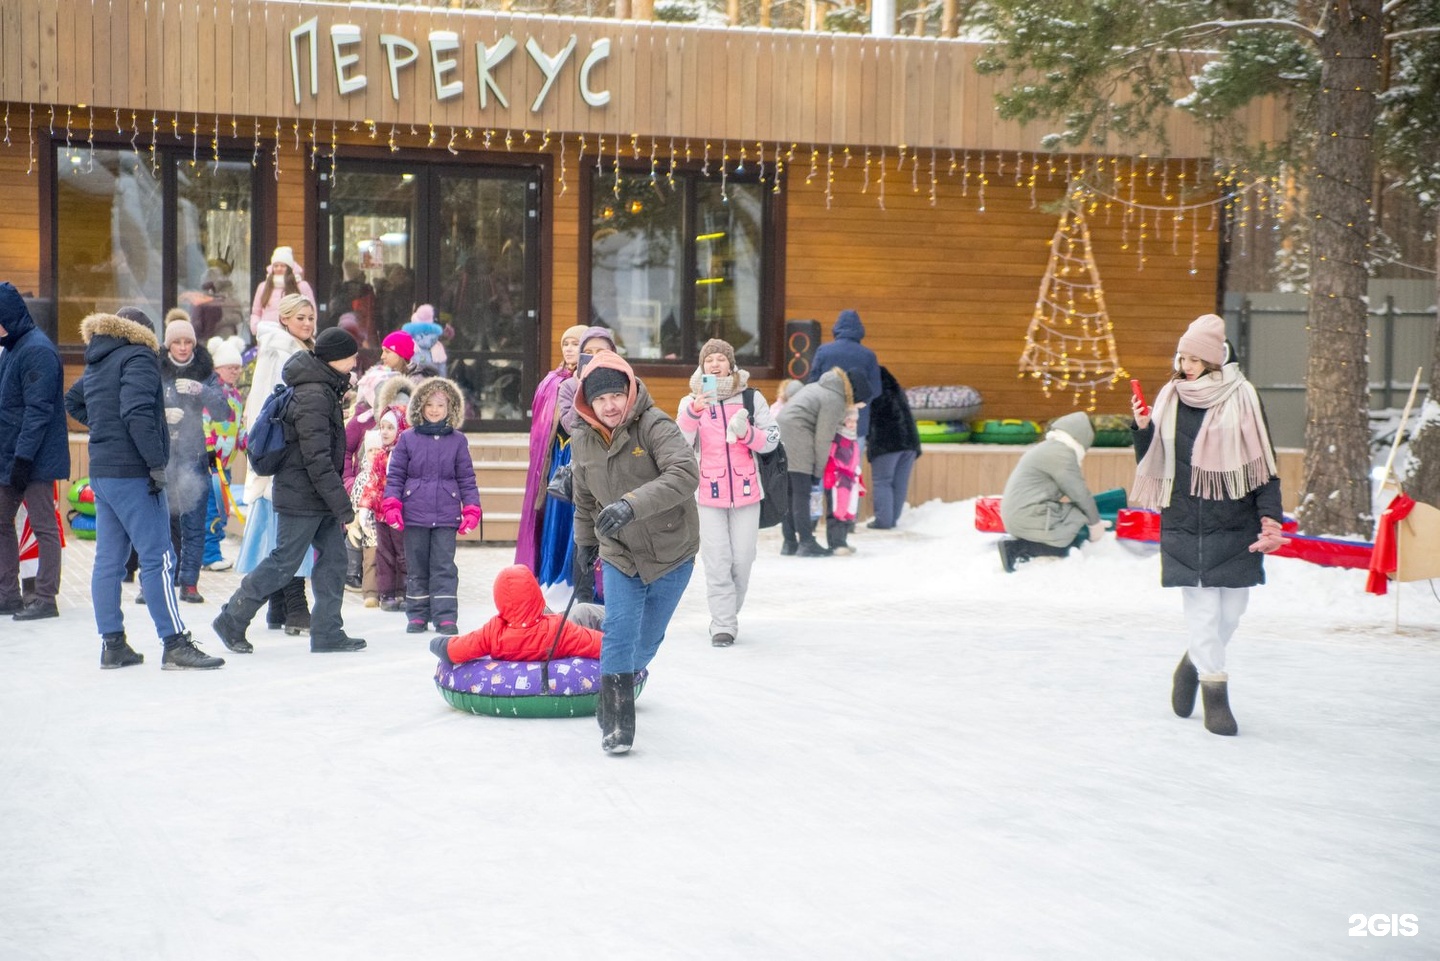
pixel 35 452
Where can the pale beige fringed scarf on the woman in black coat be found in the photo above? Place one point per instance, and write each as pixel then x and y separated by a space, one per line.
pixel 1232 456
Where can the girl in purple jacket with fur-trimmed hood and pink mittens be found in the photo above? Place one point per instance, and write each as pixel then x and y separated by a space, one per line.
pixel 431 495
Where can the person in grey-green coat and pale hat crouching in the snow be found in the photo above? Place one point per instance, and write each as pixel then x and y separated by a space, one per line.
pixel 1048 506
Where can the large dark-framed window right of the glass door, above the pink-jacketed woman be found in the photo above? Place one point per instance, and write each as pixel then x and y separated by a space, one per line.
pixel 679 260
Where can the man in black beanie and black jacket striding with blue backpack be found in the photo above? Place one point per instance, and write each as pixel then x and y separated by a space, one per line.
pixel 312 505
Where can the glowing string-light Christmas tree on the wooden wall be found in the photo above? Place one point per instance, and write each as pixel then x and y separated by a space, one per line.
pixel 1071 342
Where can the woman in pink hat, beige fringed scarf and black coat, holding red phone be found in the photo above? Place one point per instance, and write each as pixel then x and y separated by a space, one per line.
pixel 1207 465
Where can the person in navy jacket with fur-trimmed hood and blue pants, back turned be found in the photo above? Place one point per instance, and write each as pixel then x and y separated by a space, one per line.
pixel 122 401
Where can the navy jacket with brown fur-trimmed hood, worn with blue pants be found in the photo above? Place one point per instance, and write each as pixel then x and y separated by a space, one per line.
pixel 120 398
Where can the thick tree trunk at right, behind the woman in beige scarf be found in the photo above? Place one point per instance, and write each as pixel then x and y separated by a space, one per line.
pixel 1337 498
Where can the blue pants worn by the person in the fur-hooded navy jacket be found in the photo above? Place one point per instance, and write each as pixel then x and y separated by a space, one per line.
pixel 127 514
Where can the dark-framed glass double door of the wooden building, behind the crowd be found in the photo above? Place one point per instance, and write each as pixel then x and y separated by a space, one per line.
pixel 462 238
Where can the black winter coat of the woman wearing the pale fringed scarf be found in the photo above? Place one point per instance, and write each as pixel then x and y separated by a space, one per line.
pixel 1206 544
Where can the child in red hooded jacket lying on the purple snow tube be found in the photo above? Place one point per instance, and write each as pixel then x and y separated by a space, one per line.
pixel 523 630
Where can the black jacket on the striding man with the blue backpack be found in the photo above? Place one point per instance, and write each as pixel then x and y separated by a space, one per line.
pixel 310 479
